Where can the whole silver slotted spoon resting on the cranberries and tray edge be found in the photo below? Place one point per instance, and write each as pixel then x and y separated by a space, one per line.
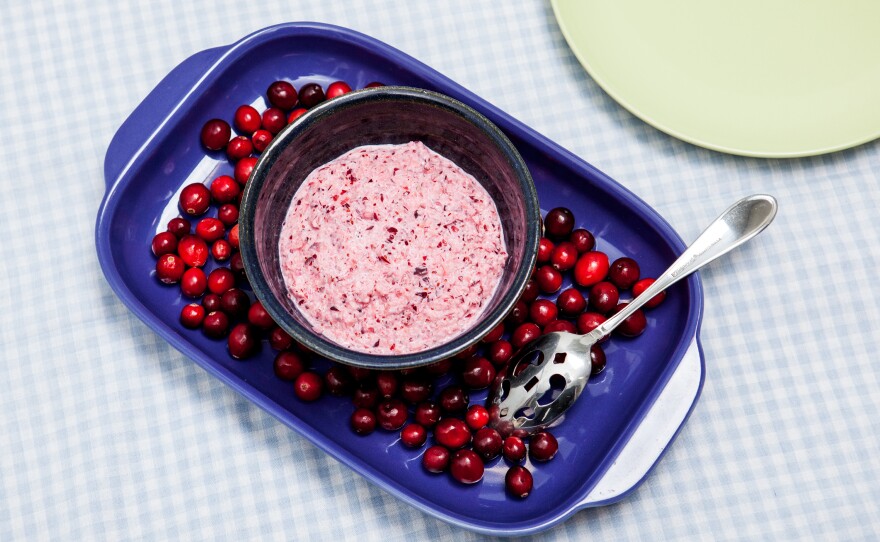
pixel 562 360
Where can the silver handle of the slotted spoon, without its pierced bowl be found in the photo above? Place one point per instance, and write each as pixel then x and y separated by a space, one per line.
pixel 740 222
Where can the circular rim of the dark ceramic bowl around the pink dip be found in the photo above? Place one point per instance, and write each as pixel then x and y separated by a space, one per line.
pixel 321 345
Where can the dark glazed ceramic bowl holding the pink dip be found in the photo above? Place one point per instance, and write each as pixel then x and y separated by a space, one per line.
pixel 386 115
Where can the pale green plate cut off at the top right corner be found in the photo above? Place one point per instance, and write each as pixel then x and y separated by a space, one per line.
pixel 769 78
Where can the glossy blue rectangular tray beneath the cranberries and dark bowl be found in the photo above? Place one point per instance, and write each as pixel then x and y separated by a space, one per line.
pixel 157 151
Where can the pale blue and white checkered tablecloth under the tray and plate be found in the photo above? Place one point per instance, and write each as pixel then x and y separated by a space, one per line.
pixel 107 432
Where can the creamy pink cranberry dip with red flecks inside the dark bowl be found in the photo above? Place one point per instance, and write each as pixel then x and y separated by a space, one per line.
pixel 391 249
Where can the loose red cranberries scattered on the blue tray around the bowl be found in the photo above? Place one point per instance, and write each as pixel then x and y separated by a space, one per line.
pixel 429 406
